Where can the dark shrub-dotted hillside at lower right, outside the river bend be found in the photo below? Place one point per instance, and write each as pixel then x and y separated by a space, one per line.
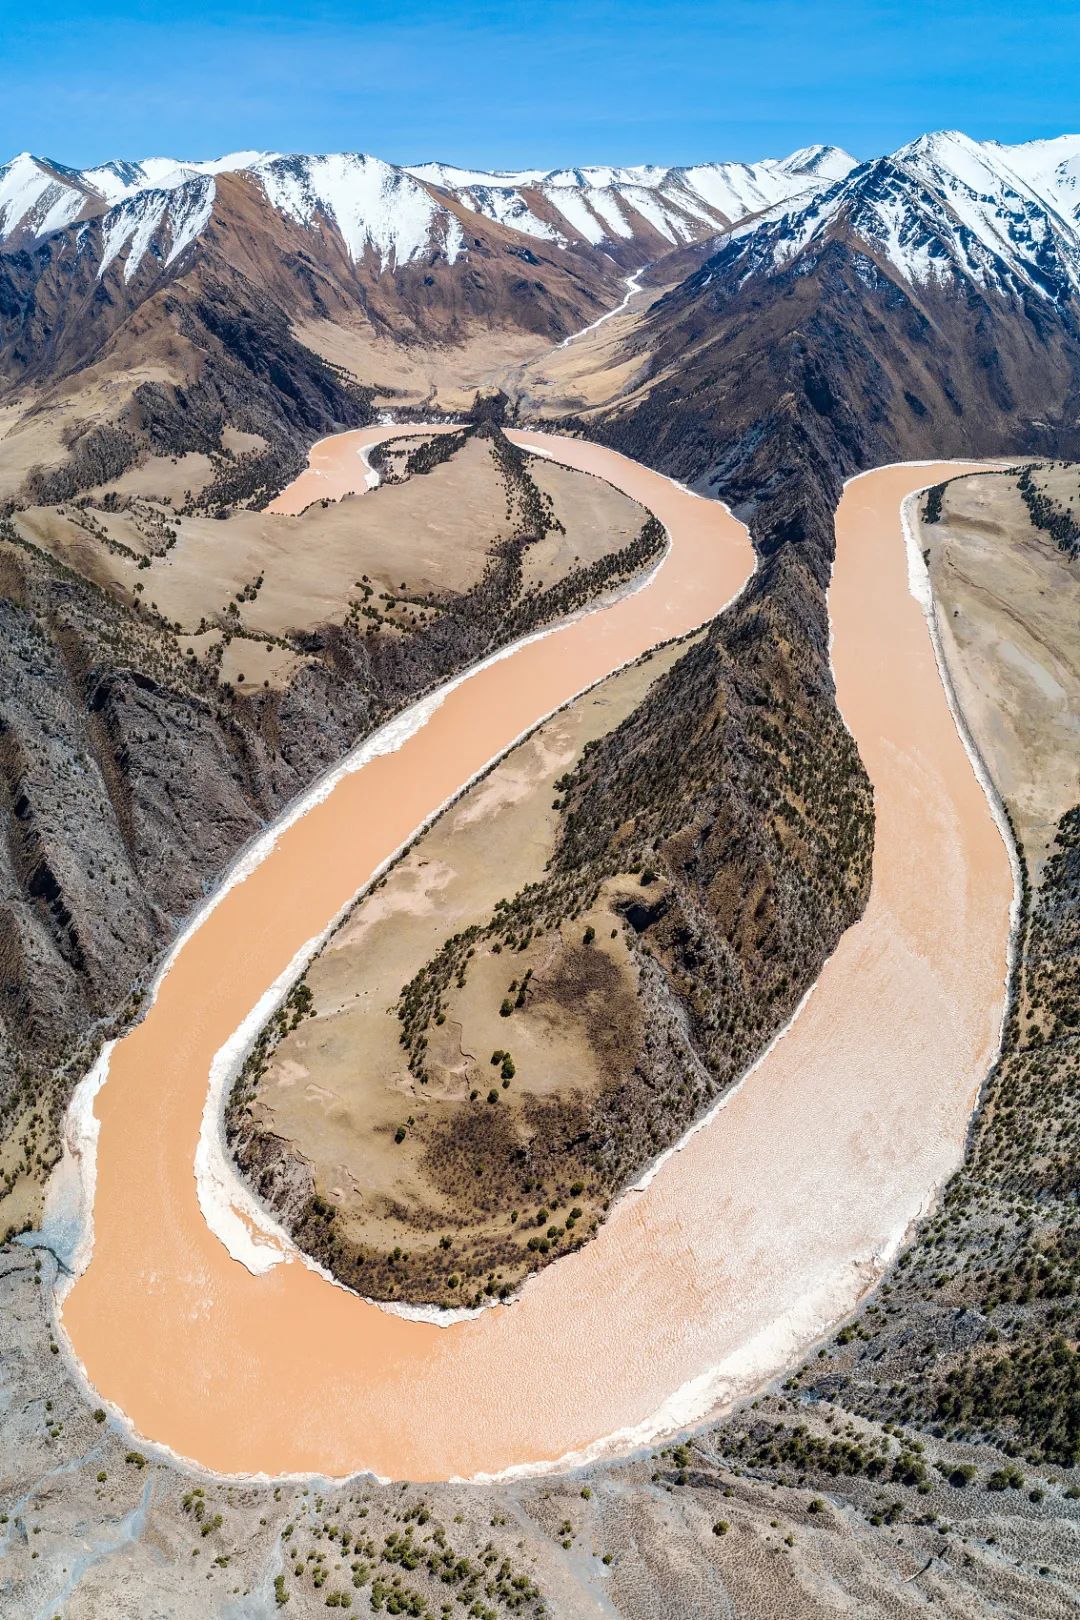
pixel 1003 1251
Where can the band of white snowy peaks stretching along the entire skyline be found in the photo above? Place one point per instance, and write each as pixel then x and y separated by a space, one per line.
pixel 942 208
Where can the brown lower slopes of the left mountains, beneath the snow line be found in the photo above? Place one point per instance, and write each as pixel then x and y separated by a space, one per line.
pixel 159 357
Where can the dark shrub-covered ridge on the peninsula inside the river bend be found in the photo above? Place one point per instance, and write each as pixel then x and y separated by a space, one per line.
pixel 763 811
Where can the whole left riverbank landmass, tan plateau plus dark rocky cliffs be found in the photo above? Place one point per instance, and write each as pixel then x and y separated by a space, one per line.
pixel 138 751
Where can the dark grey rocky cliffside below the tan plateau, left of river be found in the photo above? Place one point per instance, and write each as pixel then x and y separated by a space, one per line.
pixel 132 772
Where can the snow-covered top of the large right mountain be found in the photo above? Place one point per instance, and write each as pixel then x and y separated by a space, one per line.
pixel 942 210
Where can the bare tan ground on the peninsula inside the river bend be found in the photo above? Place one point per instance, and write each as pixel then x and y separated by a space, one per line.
pixel 339 1086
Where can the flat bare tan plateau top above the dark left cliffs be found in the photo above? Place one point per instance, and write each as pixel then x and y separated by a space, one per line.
pixel 433 534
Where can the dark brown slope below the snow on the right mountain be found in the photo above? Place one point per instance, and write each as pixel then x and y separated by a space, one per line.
pixel 878 369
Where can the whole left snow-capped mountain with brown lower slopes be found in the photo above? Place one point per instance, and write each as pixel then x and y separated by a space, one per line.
pixel 344 244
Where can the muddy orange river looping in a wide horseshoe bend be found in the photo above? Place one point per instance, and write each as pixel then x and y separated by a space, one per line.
pixel 746 1245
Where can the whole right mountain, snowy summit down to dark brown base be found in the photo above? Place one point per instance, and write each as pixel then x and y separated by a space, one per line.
pixel 925 304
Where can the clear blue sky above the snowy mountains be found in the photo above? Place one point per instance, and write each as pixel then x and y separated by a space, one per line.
pixel 548 82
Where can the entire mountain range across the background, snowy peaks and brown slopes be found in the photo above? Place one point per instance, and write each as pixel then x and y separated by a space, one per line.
pixel 147 307
